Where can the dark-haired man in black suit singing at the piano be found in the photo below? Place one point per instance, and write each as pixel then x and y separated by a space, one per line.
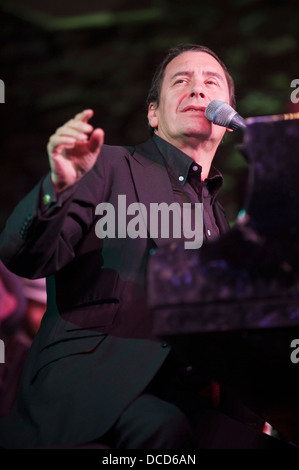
pixel 95 372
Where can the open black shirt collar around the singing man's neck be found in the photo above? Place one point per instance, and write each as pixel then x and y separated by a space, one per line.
pixel 180 163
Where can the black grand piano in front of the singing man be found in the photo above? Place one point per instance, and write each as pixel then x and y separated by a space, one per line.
pixel 233 305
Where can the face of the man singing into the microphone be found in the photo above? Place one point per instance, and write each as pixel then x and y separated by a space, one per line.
pixel 191 81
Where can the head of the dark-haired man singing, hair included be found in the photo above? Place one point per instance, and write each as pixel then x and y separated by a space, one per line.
pixel 185 82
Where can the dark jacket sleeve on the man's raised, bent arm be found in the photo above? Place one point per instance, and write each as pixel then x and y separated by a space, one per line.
pixel 39 237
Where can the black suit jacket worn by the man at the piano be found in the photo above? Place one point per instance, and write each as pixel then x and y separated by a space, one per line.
pixel 95 351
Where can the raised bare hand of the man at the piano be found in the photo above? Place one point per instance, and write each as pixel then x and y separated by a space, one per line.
pixel 73 150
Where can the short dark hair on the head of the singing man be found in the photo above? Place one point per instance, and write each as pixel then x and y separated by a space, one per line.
pixel 155 88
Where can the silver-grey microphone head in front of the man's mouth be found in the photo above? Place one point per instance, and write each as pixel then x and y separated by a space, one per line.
pixel 223 114
